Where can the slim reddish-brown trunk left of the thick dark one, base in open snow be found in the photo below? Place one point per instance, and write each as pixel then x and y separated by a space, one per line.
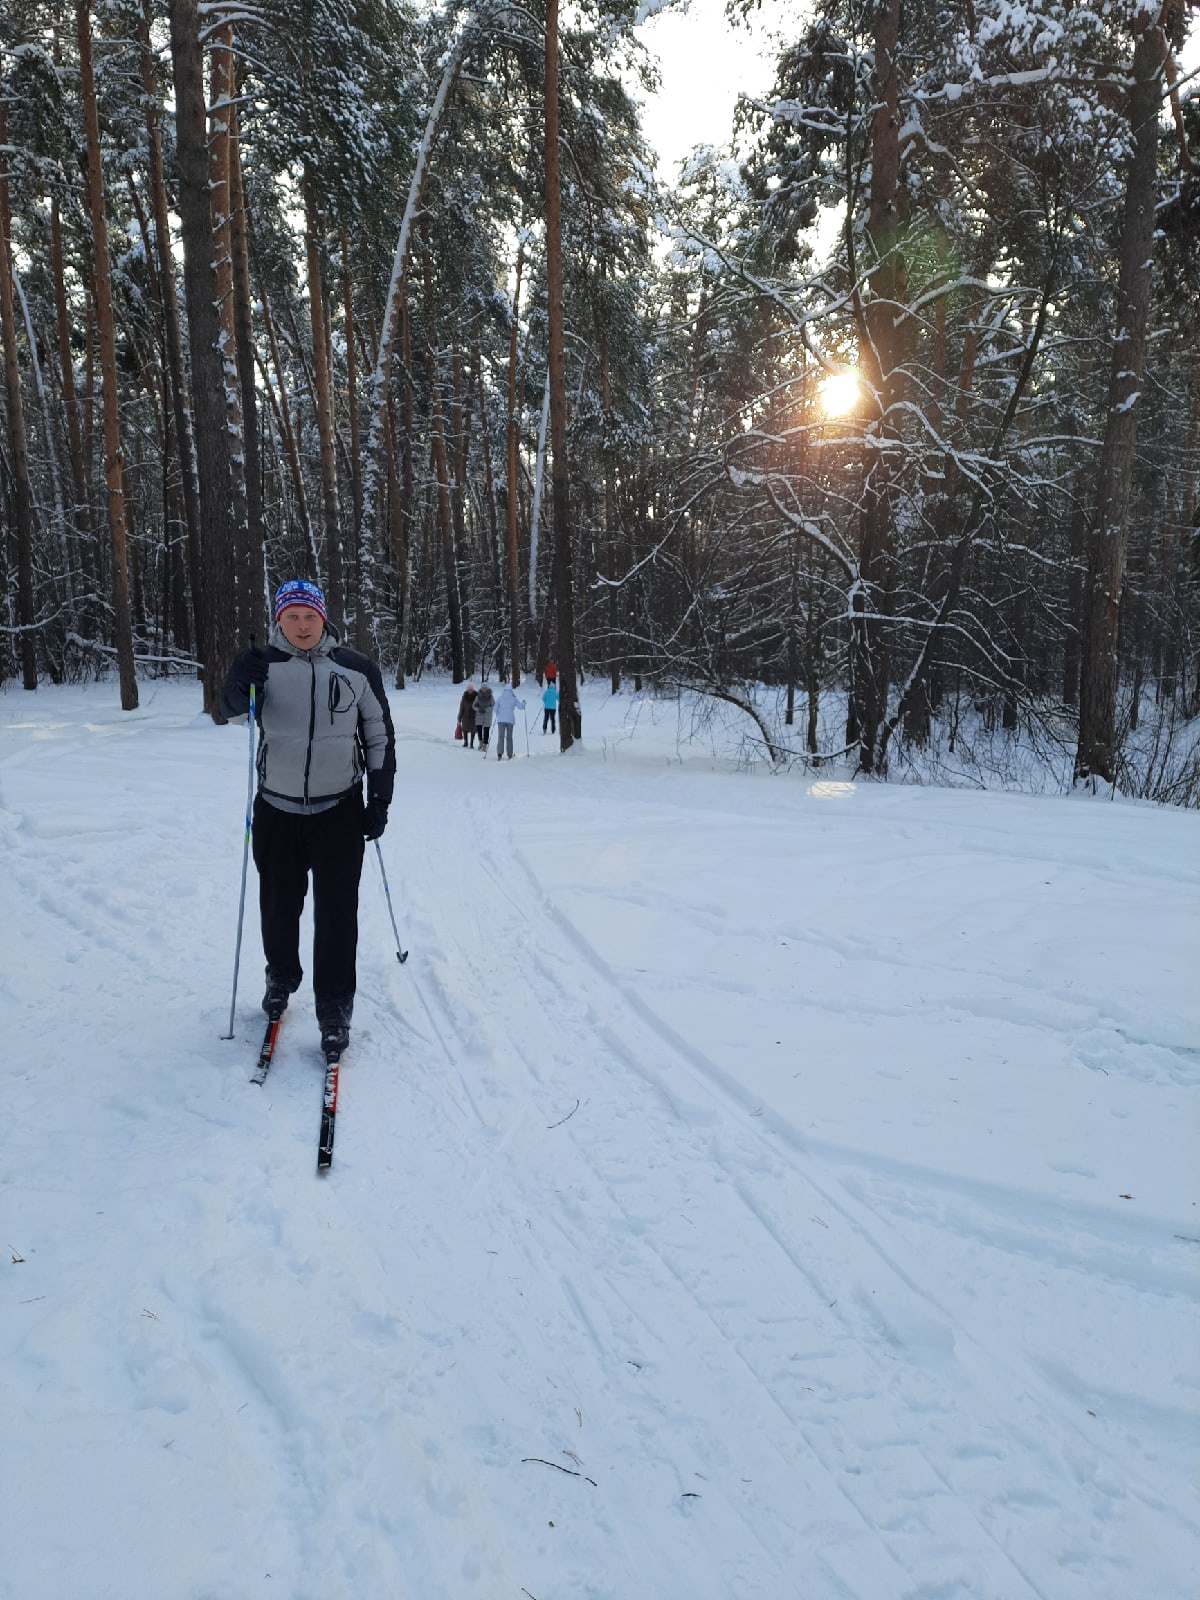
pixel 114 462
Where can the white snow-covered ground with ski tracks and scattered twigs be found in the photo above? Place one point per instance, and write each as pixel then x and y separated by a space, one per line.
pixel 750 1188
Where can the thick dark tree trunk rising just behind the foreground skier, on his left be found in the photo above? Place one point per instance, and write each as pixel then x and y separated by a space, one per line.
pixel 215 478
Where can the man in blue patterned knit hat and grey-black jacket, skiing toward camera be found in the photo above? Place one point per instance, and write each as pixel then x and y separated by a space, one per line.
pixel 324 722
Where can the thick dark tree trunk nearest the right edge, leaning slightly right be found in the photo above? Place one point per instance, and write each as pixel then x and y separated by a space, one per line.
pixel 1097 753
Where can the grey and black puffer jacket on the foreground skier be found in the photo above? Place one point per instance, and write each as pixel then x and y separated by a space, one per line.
pixel 324 722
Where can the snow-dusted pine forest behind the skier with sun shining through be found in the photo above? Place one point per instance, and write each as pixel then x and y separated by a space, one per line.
pixel 892 406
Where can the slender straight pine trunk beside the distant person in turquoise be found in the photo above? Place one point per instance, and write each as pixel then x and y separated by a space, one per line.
pixel 570 722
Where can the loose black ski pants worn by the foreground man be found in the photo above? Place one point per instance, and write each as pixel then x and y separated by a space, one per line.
pixel 287 849
